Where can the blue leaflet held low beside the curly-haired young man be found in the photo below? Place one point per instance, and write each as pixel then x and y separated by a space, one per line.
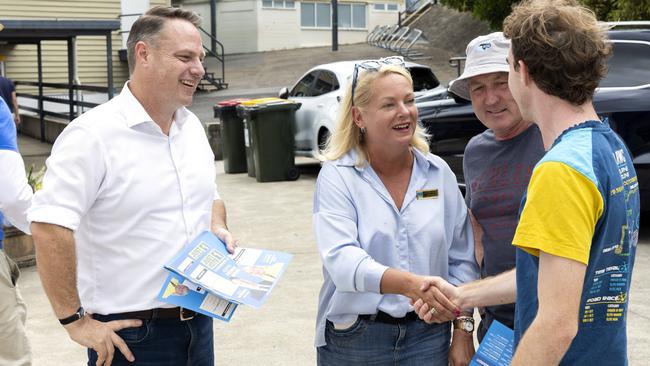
pixel 497 346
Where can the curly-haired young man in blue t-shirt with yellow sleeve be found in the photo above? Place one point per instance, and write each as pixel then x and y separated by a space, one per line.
pixel 579 223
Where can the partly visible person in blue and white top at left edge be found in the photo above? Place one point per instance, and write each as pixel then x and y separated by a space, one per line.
pixel 15 199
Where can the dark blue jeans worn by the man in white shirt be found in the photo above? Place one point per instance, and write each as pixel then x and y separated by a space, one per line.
pixel 165 342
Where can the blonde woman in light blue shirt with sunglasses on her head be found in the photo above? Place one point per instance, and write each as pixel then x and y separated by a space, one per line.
pixel 386 214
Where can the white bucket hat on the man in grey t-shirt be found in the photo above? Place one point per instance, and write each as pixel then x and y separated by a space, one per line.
pixel 485 55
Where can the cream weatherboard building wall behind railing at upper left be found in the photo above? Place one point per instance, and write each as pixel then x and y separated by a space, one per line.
pixel 20 60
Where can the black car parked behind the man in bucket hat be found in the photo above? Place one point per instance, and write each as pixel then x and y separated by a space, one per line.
pixel 623 97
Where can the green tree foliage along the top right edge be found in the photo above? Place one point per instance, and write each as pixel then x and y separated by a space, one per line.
pixel 495 11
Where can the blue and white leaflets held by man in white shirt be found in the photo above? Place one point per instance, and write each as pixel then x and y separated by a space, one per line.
pixel 245 277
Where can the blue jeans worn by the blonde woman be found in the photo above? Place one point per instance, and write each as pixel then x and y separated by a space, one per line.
pixel 368 342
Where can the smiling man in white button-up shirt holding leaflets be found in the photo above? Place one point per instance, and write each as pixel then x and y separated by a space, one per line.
pixel 128 184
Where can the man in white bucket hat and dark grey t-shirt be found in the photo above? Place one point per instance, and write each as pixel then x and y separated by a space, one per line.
pixel 497 164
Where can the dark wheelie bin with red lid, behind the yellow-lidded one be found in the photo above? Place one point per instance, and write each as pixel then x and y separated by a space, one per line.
pixel 232 136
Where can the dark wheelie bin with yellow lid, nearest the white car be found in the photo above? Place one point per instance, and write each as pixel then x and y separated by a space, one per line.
pixel 269 126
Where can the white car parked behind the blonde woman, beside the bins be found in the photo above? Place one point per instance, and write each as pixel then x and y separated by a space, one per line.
pixel 320 90
